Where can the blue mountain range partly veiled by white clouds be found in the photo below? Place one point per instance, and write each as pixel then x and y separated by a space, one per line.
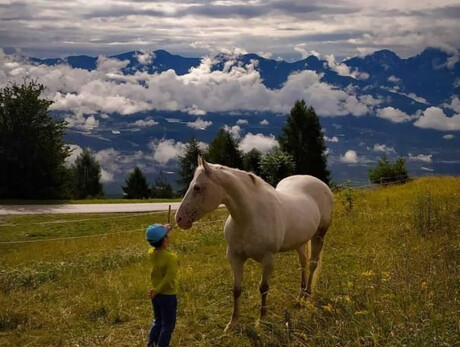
pixel 403 97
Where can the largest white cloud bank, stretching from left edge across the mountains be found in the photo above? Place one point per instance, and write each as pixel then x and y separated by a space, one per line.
pixel 106 90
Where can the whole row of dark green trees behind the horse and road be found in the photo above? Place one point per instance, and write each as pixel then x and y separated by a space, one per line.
pixel 33 154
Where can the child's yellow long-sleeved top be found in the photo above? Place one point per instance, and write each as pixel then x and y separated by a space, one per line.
pixel 164 271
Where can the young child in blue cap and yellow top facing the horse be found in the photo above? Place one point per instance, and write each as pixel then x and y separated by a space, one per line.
pixel 164 285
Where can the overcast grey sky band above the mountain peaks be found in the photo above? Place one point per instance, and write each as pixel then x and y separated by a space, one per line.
pixel 286 29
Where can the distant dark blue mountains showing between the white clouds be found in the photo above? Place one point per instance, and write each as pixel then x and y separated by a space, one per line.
pixel 411 85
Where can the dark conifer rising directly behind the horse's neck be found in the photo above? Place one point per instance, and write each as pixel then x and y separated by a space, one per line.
pixel 224 150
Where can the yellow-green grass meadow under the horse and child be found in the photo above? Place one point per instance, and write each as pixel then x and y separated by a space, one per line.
pixel 389 276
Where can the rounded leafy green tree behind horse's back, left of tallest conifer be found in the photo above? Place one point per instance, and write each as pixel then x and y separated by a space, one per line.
pixel 276 165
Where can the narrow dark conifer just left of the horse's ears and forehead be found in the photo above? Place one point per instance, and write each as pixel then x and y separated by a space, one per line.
pixel 187 164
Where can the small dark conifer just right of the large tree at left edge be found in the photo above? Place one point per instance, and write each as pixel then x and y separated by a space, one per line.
pixel 87 175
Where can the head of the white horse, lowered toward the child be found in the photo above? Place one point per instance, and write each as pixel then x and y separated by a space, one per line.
pixel 203 195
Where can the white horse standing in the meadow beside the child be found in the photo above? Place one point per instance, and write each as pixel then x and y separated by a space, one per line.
pixel 262 221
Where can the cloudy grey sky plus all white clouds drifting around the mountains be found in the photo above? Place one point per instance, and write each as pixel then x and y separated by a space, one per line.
pixel 277 29
